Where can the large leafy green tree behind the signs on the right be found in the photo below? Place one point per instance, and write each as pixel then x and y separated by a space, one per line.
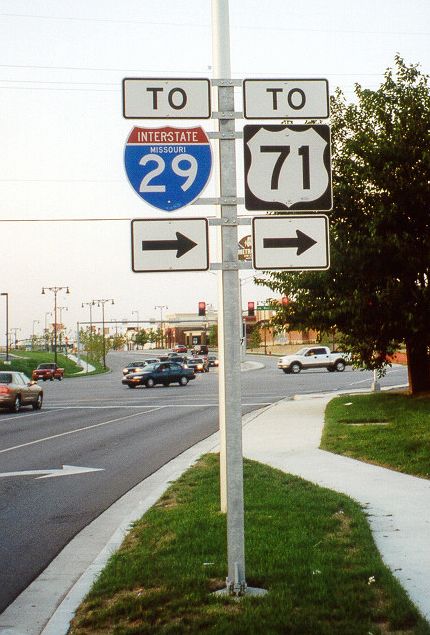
pixel 376 292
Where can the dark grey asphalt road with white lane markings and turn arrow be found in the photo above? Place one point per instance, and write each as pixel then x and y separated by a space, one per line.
pixel 97 423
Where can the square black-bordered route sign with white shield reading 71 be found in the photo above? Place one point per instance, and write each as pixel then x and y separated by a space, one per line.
pixel 287 167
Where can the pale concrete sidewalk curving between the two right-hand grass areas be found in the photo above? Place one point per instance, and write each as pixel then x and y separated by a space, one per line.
pixel 286 436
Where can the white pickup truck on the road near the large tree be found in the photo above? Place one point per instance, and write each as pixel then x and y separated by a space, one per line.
pixel 313 357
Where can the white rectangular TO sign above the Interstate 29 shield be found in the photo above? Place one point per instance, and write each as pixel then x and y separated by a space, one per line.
pixel 169 98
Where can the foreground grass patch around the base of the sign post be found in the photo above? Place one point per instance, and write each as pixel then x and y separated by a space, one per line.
pixel 309 547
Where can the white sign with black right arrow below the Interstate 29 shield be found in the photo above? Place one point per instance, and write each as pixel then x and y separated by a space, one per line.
pixel 170 245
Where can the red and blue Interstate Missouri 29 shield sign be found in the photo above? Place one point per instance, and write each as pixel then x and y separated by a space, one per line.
pixel 168 167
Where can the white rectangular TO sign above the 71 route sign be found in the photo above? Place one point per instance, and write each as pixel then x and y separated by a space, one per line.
pixel 285 99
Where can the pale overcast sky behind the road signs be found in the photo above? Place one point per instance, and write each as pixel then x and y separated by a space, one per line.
pixel 62 133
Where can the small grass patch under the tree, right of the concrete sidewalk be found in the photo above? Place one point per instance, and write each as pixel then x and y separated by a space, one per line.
pixel 387 429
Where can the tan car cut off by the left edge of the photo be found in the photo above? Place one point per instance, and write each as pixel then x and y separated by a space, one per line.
pixel 16 390
